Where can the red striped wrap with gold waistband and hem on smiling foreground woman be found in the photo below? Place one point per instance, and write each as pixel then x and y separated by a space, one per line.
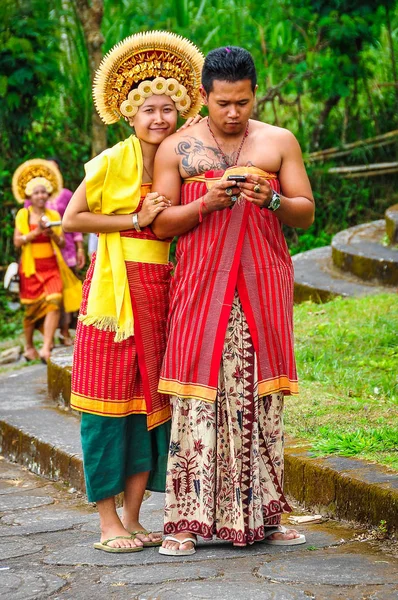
pixel 117 379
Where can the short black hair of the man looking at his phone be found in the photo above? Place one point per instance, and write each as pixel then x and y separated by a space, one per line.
pixel 229 63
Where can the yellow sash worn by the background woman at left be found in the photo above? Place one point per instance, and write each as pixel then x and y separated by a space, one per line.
pixel 72 286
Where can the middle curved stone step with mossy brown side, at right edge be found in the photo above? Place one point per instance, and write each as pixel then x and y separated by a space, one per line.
pixel 360 251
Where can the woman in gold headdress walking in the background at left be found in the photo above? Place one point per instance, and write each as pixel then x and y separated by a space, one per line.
pixel 43 273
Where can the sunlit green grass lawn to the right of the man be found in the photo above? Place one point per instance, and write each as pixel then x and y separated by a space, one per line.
pixel 347 359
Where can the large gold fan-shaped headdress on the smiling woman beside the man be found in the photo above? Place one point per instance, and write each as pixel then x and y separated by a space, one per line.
pixel 172 62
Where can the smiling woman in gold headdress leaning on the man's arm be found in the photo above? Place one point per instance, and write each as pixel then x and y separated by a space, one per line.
pixel 120 339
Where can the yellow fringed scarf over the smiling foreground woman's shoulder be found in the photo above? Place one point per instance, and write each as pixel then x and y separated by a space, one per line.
pixel 113 182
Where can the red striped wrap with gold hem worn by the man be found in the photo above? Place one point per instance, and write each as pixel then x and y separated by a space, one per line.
pixel 243 248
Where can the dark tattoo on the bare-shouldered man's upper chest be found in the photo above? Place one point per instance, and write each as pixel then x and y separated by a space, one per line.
pixel 198 158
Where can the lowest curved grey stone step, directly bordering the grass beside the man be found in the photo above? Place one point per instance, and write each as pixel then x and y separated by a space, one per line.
pixel 316 278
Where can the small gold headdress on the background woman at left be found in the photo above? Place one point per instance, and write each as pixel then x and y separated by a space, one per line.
pixel 36 172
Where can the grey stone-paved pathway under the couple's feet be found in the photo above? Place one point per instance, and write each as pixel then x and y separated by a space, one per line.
pixel 47 532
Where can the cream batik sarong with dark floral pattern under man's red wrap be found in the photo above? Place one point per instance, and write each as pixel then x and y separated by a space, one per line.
pixel 225 468
